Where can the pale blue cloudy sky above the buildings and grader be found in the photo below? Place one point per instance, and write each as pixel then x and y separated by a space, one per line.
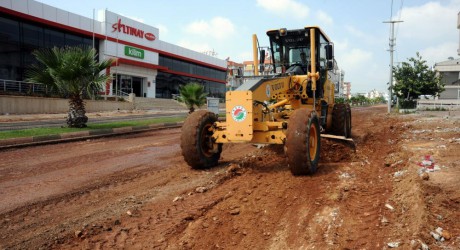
pixel 361 39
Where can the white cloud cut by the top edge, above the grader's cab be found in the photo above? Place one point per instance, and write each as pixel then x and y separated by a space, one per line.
pixel 285 8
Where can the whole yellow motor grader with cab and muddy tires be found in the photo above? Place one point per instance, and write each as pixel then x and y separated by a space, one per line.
pixel 294 105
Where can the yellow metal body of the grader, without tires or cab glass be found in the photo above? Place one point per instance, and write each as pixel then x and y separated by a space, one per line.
pixel 261 114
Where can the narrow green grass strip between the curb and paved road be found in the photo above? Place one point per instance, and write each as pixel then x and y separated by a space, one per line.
pixel 109 125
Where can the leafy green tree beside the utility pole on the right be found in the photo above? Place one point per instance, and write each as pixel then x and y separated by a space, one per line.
pixel 415 78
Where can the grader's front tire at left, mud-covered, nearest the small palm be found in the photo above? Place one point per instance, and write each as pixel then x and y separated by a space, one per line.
pixel 196 142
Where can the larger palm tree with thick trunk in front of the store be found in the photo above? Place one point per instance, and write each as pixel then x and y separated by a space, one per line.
pixel 74 73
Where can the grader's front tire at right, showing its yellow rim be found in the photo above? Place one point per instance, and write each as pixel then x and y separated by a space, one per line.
pixel 303 142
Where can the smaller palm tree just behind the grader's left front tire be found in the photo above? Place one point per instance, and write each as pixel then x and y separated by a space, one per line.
pixel 192 95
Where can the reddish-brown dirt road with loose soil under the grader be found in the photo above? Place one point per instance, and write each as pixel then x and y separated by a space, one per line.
pixel 136 192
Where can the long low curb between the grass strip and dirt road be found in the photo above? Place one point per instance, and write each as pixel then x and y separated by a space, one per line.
pixel 83 135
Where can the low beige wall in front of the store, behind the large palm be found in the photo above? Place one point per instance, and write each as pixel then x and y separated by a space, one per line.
pixel 40 105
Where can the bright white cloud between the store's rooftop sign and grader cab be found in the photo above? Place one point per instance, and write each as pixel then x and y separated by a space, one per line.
pixel 219 28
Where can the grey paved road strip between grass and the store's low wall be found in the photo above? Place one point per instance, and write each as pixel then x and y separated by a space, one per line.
pixel 94 120
